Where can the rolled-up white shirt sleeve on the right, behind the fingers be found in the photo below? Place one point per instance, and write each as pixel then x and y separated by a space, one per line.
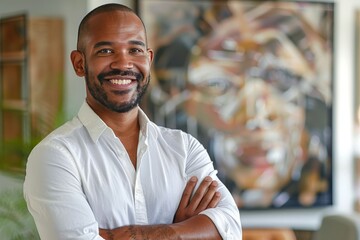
pixel 225 216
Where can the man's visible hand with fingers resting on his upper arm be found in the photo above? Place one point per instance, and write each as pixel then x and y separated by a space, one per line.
pixel 206 196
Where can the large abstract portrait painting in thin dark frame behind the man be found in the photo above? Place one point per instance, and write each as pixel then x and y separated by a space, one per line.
pixel 253 82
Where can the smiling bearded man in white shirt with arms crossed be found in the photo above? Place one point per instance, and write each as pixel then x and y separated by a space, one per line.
pixel 110 173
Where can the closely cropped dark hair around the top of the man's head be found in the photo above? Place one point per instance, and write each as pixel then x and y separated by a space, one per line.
pixel 111 7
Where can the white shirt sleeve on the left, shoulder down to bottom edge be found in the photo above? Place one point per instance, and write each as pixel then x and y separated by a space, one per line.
pixel 54 196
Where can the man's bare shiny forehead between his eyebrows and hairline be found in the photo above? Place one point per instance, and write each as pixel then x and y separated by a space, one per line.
pixel 113 26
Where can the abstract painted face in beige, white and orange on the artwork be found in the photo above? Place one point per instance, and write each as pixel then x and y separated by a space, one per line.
pixel 248 83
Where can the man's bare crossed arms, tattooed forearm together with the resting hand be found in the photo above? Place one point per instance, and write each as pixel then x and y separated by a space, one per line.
pixel 187 224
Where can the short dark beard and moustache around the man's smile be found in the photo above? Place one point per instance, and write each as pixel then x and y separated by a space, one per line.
pixel 98 93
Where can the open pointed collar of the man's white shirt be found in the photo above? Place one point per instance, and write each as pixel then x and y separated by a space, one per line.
pixel 96 126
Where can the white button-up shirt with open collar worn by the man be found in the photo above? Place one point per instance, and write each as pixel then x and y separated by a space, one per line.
pixel 80 178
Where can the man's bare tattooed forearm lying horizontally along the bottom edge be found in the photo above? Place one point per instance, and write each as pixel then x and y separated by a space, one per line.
pixel 197 227
